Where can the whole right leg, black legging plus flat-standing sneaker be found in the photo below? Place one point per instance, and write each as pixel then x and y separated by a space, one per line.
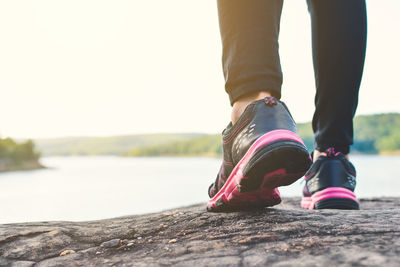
pixel 339 42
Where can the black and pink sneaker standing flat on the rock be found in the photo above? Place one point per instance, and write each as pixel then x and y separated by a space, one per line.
pixel 330 183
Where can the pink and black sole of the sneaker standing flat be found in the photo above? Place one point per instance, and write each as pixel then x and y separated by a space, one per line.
pixel 331 198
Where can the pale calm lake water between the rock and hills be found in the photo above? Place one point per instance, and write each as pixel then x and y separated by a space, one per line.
pixel 89 188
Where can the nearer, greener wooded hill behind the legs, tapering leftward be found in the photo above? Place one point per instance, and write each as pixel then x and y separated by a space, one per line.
pixel 373 134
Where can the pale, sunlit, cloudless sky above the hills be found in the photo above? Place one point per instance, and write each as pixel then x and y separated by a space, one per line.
pixel 98 68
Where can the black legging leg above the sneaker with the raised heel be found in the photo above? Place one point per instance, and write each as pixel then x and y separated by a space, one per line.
pixel 249 33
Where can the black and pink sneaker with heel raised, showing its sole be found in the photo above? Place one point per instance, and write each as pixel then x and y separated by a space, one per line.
pixel 260 153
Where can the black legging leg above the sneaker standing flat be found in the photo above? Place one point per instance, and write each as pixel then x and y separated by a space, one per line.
pixel 339 29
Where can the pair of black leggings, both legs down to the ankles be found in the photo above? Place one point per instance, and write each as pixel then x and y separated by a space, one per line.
pixel 249 32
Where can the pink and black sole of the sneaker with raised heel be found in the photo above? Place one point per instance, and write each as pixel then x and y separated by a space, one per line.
pixel 277 158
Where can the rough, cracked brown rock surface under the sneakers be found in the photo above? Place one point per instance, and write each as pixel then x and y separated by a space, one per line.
pixel 281 236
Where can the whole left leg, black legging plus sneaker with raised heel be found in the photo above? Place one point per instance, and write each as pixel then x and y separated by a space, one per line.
pixel 261 150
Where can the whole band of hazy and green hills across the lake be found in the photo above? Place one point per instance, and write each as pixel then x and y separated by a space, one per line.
pixel 378 133
